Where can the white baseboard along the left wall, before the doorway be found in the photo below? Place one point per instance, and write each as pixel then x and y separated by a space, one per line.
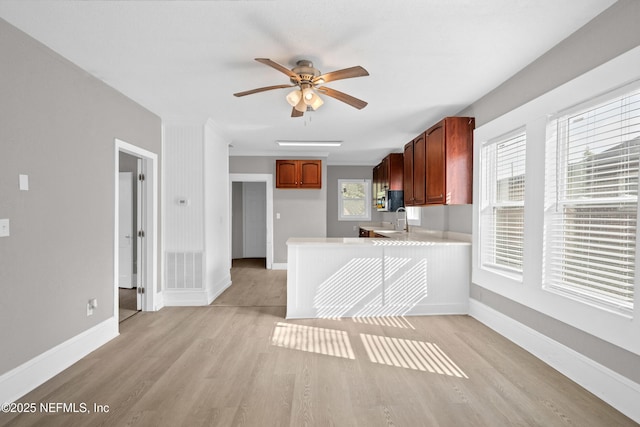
pixel 31 374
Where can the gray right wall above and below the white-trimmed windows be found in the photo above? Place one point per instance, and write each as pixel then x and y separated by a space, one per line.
pixel 613 32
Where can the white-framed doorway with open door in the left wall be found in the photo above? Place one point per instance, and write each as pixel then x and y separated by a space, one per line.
pixel 135 231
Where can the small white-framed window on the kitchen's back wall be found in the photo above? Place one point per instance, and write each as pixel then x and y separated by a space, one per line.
pixel 354 197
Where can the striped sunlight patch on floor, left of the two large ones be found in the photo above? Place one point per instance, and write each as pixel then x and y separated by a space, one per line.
pixel 330 342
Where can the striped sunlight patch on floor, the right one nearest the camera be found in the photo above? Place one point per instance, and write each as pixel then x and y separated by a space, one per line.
pixel 409 354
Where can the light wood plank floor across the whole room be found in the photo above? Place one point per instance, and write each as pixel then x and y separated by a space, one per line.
pixel 235 364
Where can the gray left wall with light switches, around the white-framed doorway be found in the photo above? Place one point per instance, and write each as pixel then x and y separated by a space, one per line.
pixel 57 125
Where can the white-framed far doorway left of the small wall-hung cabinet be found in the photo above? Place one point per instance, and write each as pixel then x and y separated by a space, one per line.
pixel 251 216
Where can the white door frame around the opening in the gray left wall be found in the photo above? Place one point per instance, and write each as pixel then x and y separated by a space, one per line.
pixel 148 262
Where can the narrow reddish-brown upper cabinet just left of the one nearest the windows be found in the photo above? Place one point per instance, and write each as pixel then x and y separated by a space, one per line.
pixel 414 176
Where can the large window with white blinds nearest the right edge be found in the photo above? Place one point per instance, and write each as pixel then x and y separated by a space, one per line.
pixel 591 200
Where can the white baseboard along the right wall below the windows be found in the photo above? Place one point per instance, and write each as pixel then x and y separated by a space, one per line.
pixel 618 391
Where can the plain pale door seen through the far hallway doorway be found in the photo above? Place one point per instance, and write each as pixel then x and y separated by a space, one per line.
pixel 254 219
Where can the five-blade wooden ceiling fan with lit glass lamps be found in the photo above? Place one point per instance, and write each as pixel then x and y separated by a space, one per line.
pixel 308 80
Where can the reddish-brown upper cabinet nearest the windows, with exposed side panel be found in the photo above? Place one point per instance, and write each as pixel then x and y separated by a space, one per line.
pixel 449 161
